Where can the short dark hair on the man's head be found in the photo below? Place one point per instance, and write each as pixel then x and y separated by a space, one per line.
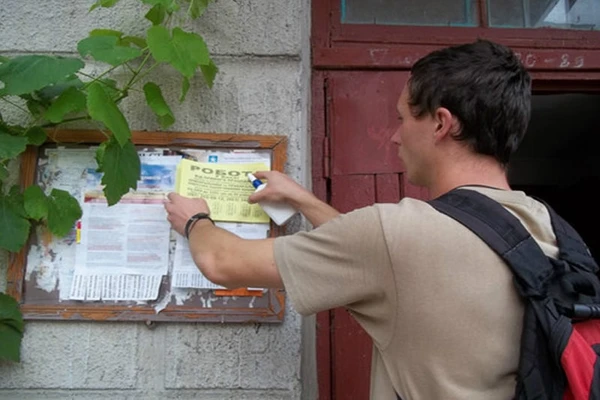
pixel 484 85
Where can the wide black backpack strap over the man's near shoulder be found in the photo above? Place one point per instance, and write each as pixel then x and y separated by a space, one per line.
pixel 504 233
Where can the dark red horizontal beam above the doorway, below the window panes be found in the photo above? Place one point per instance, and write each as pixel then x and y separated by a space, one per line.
pixel 347 46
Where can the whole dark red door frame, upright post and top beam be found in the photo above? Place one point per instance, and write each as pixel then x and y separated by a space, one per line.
pixel 559 61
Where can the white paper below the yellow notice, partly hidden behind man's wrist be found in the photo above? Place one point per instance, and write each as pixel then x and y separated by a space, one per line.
pixel 185 272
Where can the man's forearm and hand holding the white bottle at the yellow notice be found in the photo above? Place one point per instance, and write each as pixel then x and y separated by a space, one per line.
pixel 282 188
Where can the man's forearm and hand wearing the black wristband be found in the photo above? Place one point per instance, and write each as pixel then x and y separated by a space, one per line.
pixel 223 257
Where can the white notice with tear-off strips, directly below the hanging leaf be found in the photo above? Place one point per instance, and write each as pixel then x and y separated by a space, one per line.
pixel 124 249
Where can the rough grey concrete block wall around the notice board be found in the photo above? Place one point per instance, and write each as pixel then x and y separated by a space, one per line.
pixel 261 48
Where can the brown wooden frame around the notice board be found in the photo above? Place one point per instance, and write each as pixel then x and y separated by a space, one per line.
pixel 198 305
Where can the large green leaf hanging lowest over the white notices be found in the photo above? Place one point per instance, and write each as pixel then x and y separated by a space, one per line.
pixel 121 167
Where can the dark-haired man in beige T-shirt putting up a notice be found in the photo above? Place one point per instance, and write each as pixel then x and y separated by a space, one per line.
pixel 438 303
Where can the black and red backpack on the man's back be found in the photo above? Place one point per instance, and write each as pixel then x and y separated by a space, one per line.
pixel 560 341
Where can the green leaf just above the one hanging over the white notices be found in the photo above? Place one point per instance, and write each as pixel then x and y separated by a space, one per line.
pixel 103 108
